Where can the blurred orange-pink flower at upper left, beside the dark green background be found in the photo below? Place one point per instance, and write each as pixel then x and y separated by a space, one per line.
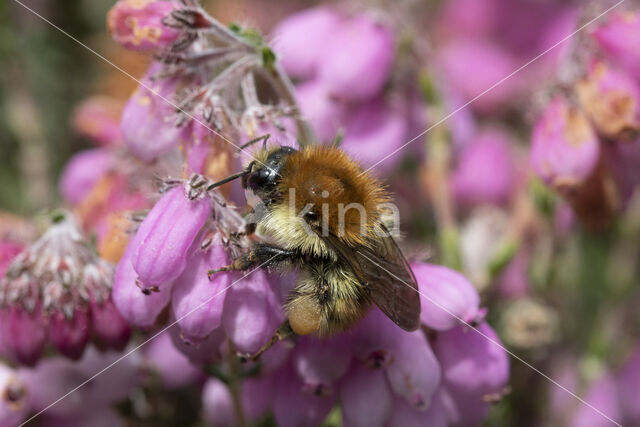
pixel 98 118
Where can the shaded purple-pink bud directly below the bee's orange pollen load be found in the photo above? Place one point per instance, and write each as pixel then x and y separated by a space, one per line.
pixel 321 362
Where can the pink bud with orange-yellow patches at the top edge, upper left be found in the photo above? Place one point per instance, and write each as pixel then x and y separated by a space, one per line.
pixel 137 25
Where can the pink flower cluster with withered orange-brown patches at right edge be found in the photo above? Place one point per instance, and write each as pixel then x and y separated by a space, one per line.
pixel 579 139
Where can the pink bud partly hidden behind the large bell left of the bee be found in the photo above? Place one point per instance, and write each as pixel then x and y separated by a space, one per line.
pixel 139 309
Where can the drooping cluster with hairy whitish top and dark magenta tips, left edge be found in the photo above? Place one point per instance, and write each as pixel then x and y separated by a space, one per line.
pixel 48 291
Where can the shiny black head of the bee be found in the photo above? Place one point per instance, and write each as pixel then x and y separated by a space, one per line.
pixel 263 179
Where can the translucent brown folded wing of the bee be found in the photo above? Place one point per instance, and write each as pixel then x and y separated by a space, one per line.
pixel 383 269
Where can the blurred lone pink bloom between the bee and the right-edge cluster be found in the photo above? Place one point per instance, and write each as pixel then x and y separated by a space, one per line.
pixel 485 172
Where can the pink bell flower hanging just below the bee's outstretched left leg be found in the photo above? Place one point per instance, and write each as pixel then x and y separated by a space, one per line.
pixel 197 301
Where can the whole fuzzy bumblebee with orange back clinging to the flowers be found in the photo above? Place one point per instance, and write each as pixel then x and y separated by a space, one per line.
pixel 321 214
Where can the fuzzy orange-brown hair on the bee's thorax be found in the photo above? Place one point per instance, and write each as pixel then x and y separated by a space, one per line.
pixel 334 184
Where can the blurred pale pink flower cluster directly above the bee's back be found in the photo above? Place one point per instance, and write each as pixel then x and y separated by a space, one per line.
pixel 347 97
